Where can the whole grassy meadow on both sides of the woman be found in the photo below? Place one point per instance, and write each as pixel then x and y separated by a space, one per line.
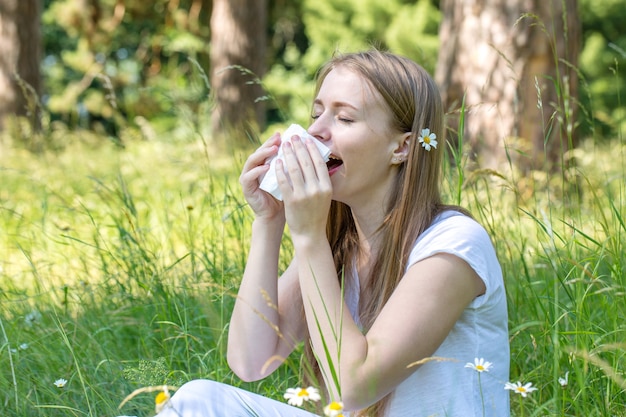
pixel 119 267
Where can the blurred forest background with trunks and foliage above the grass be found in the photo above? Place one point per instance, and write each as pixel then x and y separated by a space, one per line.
pixel 83 70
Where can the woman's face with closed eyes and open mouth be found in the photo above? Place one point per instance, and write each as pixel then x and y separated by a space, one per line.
pixel 350 117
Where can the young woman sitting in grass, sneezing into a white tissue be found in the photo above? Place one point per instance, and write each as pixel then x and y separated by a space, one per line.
pixel 392 291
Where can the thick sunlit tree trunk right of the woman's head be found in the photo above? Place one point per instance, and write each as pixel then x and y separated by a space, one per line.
pixel 511 61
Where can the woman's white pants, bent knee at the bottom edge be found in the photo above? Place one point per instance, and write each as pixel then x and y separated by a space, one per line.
pixel 205 398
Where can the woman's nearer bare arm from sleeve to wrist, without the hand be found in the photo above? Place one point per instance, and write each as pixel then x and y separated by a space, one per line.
pixel 415 321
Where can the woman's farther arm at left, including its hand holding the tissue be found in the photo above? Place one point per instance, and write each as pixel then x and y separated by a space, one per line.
pixel 266 322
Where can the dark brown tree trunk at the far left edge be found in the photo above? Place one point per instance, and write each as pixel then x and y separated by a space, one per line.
pixel 20 55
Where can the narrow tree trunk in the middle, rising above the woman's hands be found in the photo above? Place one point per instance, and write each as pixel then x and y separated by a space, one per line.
pixel 238 54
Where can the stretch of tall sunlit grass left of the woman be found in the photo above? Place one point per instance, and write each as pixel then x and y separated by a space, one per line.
pixel 117 270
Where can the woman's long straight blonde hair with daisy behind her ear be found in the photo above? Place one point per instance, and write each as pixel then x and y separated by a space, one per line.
pixel 415 104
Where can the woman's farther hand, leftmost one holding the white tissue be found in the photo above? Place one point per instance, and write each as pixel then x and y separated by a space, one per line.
pixel 261 202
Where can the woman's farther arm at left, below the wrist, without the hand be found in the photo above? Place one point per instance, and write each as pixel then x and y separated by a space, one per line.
pixel 266 321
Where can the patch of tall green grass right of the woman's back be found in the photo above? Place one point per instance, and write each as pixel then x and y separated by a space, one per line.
pixel 565 273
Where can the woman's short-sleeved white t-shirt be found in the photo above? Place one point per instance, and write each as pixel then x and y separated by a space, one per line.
pixel 448 388
